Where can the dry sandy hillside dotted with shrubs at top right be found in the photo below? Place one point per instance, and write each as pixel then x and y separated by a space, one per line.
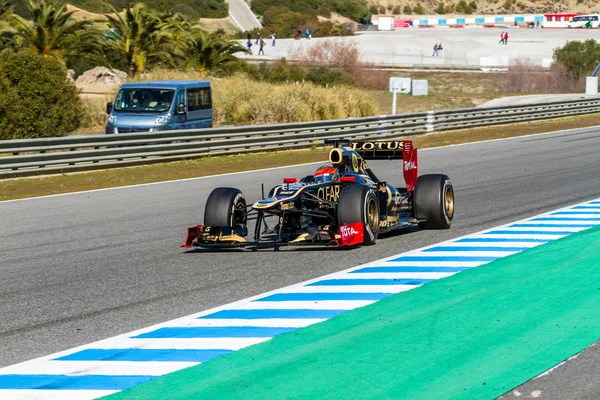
pixel 432 7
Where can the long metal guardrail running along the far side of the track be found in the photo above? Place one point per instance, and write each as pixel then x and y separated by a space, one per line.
pixel 28 157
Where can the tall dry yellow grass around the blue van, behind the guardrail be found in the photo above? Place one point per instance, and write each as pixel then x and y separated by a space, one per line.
pixel 240 101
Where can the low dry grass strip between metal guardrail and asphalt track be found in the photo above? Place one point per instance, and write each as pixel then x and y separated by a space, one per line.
pixel 39 186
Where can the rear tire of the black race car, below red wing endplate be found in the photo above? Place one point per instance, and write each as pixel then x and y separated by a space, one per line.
pixel 434 201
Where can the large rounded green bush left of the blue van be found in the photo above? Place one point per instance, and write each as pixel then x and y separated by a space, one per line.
pixel 35 98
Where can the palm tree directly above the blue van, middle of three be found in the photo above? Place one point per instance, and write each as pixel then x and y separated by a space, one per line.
pixel 143 36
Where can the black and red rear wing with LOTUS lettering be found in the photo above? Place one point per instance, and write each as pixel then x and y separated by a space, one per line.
pixel 387 150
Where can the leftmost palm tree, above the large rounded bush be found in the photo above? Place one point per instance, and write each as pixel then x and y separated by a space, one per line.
pixel 54 33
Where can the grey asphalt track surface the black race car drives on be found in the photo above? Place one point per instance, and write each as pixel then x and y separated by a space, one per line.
pixel 84 267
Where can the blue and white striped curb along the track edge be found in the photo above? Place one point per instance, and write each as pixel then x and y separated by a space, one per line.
pixel 127 360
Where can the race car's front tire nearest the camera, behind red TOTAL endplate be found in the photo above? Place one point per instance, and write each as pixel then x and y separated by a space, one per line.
pixel 358 203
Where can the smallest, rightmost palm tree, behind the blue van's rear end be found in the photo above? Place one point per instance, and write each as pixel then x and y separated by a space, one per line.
pixel 211 52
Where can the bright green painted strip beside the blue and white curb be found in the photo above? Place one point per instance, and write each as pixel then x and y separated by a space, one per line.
pixel 476 334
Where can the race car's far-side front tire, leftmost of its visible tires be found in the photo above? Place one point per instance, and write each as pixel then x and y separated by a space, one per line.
pixel 225 207
